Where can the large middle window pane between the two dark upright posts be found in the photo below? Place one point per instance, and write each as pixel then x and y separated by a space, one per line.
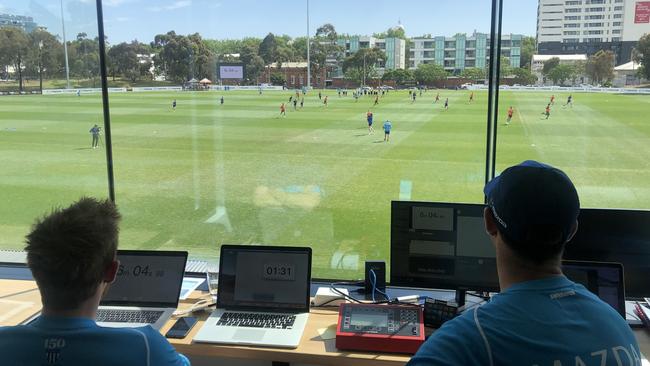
pixel 207 156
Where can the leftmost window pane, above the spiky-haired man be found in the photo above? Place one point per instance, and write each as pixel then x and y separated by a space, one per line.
pixel 46 154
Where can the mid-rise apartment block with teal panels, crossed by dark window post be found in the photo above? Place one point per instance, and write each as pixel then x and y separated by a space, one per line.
pixel 461 51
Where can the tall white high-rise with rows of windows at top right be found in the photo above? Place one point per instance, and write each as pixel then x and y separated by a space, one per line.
pixel 587 26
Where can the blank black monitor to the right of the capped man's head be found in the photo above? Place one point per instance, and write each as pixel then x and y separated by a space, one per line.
pixel 615 235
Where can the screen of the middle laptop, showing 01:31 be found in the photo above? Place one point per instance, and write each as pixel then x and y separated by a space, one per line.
pixel 264 278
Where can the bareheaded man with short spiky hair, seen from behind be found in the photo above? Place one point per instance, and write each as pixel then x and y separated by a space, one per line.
pixel 71 254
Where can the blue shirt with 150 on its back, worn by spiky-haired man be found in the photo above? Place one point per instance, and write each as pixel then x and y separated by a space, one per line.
pixel 59 341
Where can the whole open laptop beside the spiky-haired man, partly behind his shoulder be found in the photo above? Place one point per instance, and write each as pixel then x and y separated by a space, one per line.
pixel 146 289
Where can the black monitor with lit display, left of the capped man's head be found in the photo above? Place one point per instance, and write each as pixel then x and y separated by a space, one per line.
pixel 441 245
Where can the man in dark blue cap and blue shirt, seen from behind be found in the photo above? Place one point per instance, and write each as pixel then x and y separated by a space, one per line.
pixel 540 317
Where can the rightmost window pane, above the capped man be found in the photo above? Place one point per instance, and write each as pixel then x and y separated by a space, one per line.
pixel 595 130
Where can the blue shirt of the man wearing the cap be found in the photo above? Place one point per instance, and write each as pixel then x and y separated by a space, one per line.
pixel 547 322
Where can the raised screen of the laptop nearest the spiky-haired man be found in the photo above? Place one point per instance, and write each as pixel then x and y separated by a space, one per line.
pixel 147 278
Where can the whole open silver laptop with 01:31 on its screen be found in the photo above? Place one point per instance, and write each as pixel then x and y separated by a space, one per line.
pixel 262 298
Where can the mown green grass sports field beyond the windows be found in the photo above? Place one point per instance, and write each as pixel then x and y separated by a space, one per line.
pixel 207 174
